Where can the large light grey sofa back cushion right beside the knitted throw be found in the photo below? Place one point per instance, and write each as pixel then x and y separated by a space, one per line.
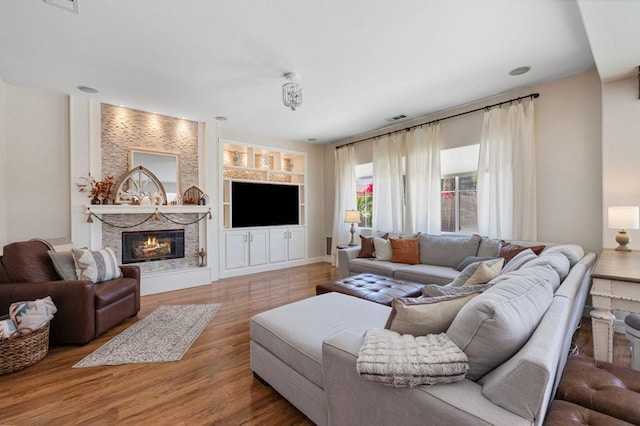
pixel 497 323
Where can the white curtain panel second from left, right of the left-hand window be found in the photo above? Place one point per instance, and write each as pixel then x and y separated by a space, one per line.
pixel 388 188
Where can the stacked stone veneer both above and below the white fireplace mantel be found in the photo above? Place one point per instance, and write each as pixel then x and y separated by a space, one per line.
pixel 123 129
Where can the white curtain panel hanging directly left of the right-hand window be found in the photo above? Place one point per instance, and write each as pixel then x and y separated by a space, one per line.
pixel 423 211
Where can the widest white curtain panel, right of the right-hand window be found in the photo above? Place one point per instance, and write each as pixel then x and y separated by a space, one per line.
pixel 506 174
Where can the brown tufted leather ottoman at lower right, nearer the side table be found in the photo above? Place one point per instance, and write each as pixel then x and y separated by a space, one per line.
pixel 601 387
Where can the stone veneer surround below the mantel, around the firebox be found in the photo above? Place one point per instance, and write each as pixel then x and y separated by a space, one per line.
pixel 112 237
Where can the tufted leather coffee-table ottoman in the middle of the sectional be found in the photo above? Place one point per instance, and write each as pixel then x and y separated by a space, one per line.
pixel 376 288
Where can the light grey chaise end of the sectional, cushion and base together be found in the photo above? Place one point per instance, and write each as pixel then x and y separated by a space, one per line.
pixel 286 344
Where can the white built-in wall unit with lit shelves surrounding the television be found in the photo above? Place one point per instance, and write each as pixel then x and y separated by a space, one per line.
pixel 247 250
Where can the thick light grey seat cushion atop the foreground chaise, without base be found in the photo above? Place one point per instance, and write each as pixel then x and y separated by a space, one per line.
pixel 294 332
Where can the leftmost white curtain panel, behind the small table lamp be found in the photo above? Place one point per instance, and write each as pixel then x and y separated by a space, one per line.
pixel 345 196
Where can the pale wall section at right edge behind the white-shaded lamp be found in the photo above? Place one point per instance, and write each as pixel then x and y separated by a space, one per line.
pixel 621 152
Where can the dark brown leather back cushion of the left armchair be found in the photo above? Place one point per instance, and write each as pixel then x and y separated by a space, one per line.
pixel 28 261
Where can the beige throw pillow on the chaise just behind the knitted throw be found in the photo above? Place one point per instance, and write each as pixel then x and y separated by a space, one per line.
pixel 419 316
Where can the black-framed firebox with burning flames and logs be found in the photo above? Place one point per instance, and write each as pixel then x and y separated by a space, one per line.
pixel 145 246
